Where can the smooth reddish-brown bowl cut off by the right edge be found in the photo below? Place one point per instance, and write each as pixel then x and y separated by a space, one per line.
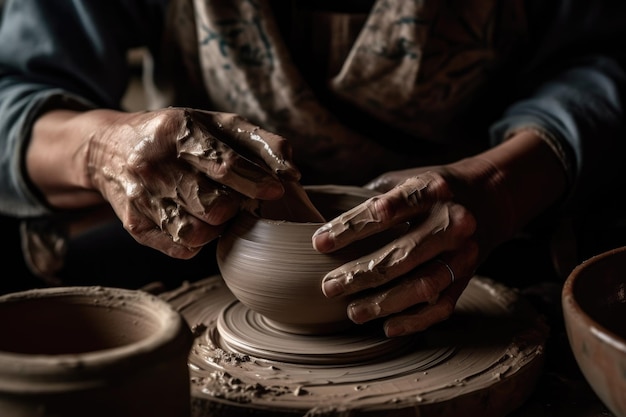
pixel 594 308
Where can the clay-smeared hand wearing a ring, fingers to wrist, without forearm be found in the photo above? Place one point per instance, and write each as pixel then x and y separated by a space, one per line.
pixel 415 280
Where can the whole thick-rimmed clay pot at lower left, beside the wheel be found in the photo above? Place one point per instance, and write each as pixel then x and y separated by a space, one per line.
pixel 92 351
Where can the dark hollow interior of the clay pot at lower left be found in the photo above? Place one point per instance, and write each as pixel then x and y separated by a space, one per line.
pixel 74 321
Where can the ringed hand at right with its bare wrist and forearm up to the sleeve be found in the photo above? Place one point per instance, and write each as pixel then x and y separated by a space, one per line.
pixel 457 214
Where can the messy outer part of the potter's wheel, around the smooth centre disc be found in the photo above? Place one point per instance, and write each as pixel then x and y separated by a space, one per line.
pixel 493 342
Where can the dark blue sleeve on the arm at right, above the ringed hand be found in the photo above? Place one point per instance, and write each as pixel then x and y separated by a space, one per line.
pixel 576 87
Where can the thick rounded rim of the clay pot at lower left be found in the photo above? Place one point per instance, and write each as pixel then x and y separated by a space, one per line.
pixel 171 333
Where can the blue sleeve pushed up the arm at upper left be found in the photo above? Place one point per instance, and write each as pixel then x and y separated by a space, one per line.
pixel 62 53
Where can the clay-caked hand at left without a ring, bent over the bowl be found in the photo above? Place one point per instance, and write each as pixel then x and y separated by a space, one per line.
pixel 175 176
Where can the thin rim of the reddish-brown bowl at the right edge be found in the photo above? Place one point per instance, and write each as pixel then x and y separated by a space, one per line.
pixel 576 311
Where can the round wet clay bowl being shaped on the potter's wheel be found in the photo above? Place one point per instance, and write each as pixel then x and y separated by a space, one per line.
pixel 271 267
